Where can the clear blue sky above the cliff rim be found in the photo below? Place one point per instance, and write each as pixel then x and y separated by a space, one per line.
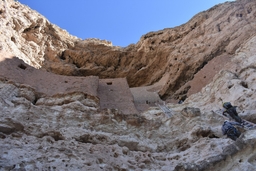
pixel 120 21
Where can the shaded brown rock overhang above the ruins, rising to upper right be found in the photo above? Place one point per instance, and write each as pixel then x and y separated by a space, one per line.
pixel 180 52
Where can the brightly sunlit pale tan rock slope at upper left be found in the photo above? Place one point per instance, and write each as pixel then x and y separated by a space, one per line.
pixel 30 36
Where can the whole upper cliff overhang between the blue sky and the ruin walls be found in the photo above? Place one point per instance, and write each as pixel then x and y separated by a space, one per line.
pixel 178 52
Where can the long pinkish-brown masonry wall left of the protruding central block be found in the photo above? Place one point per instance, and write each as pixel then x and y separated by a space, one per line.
pixel 46 83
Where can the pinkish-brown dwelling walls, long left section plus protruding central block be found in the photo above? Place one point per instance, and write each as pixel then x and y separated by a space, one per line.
pixel 109 93
